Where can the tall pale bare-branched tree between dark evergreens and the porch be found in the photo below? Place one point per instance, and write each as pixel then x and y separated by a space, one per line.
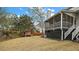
pixel 38 15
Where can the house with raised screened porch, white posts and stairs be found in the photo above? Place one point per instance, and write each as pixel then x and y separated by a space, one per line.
pixel 64 24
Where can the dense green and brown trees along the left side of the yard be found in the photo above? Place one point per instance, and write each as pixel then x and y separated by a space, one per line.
pixel 11 23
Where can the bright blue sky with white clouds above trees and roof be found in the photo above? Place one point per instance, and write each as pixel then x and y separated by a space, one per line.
pixel 25 10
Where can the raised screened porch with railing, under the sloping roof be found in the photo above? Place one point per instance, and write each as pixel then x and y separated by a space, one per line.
pixel 54 22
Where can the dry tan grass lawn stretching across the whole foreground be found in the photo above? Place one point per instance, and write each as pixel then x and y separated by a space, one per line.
pixel 37 43
